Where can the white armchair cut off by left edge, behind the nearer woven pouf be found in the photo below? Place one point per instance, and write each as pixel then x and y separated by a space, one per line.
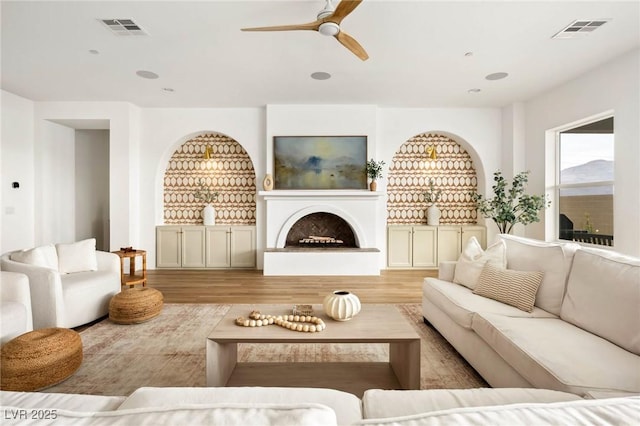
pixel 15 306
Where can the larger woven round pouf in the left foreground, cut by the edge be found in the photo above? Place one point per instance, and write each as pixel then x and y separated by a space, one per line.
pixel 39 359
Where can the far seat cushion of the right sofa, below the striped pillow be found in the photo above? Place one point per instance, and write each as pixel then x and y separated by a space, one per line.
pixel 460 304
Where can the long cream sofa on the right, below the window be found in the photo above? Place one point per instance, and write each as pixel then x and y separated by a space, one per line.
pixel 582 335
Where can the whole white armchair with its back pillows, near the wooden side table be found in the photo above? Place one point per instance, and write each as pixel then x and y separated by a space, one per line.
pixel 71 284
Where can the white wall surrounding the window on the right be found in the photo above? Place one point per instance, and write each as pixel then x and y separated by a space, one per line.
pixel 611 87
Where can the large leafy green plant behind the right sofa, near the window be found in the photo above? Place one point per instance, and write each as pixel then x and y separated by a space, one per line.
pixel 511 205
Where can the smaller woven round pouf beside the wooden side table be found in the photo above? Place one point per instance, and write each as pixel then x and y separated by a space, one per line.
pixel 135 305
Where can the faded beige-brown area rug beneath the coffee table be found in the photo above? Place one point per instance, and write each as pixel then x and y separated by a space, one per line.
pixel 169 350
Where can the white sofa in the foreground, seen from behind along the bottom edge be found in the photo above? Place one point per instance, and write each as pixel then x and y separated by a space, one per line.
pixel 309 406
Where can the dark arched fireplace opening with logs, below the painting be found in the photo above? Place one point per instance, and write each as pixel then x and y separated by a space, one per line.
pixel 321 229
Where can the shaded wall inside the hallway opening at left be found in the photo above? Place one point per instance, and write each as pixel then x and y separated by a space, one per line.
pixel 92 186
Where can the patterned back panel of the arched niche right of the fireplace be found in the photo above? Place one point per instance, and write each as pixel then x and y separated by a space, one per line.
pixel 409 174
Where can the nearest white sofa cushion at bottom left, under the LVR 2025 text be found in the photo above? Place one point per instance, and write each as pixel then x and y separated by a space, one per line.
pixel 193 414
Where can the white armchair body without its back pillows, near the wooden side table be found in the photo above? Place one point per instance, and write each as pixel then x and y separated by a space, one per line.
pixel 68 299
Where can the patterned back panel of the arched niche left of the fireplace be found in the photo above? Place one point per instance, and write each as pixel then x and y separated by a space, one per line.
pixel 229 171
